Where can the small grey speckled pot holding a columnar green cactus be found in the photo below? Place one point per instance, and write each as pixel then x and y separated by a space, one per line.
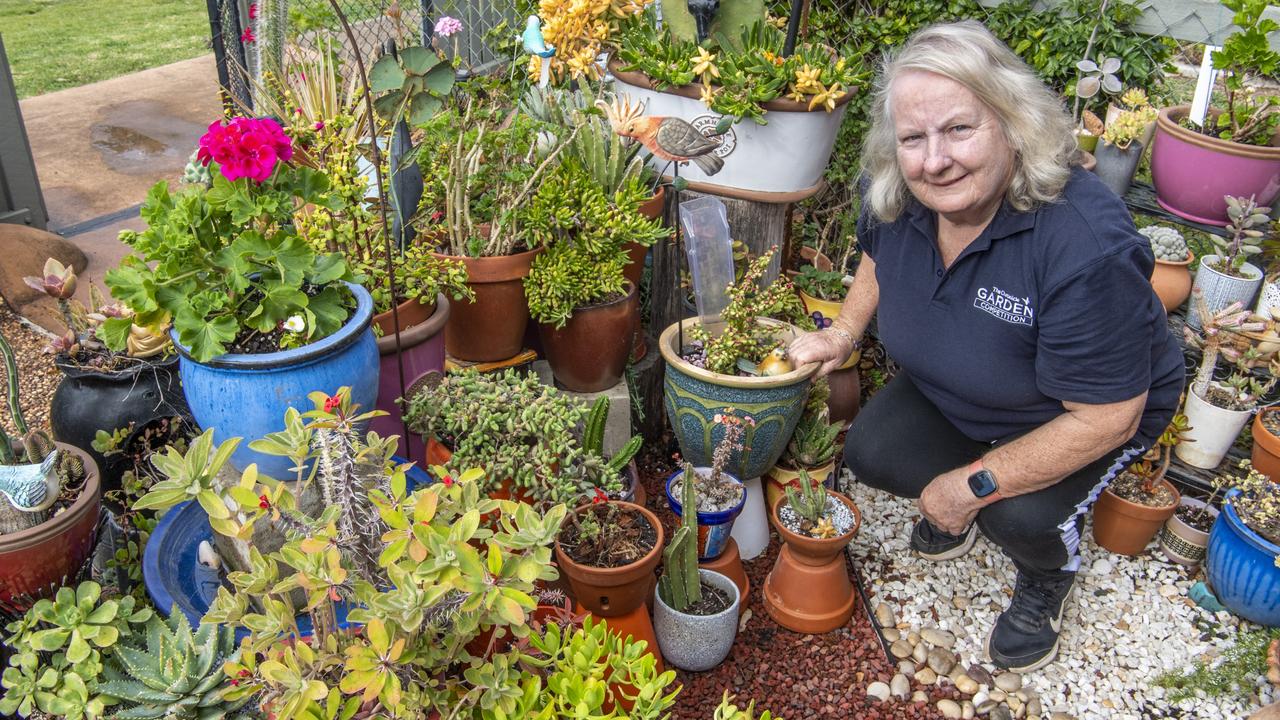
pixel 697 642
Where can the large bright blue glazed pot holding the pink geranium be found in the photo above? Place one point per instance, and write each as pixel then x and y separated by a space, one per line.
pixel 248 395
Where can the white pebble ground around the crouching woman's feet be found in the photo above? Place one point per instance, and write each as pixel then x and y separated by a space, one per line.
pixel 1128 622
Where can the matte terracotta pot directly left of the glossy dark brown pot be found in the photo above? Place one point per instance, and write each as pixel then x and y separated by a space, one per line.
pixel 493 327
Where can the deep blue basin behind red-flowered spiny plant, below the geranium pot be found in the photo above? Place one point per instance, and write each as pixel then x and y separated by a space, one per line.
pixel 175 576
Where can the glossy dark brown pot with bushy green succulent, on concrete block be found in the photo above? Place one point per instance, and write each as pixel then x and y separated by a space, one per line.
pixel 591 353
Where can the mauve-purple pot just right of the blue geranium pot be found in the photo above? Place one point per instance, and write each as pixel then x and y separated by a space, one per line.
pixel 423 348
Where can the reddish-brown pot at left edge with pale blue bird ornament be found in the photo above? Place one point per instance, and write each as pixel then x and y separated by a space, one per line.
pixel 36 562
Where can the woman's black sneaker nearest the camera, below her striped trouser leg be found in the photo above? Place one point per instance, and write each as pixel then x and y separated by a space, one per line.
pixel 1026 636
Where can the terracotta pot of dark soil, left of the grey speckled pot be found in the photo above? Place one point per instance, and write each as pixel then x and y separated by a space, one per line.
pixel 611 593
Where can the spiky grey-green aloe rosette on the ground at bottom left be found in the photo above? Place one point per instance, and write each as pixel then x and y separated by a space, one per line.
pixel 177 676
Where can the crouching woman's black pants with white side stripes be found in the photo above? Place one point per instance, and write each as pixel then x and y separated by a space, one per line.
pixel 900 443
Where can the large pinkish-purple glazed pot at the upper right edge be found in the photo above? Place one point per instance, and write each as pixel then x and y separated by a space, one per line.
pixel 1192 172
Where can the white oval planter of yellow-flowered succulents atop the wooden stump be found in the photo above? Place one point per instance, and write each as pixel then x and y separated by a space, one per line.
pixel 781 162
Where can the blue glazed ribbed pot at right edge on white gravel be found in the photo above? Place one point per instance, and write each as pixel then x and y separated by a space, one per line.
pixel 1242 568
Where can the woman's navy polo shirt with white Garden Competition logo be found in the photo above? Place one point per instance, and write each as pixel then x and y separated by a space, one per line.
pixel 1043 308
